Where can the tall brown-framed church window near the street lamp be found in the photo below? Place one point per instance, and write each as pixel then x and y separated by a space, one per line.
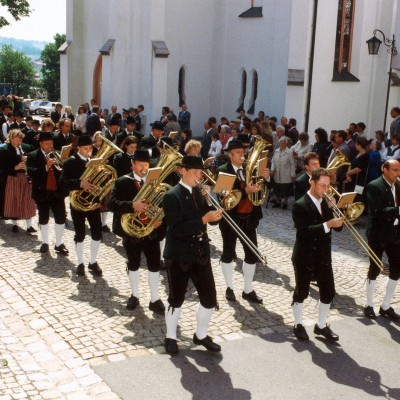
pixel 344 35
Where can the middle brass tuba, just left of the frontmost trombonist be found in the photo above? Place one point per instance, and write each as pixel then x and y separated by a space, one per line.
pixel 140 224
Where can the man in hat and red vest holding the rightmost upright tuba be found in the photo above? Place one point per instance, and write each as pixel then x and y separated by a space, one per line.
pixel 246 216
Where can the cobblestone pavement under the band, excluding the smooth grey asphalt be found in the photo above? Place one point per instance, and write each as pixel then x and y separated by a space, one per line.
pixel 55 327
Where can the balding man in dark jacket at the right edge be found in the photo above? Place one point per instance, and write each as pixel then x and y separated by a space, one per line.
pixel 383 233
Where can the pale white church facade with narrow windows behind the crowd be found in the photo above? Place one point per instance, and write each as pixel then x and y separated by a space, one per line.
pixel 305 59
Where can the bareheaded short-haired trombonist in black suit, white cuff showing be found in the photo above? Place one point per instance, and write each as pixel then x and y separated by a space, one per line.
pixel 314 220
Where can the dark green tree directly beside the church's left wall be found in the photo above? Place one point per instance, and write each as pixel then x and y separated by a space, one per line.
pixel 51 67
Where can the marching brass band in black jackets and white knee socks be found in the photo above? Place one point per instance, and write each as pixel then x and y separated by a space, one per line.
pixel 178 204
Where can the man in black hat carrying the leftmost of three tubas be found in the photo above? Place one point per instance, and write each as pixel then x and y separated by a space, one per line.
pixel 73 169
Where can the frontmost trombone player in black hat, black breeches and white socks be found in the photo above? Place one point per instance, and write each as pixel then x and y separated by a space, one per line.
pixel 187 254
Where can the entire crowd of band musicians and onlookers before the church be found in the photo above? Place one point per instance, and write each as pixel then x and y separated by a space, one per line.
pixel 34 177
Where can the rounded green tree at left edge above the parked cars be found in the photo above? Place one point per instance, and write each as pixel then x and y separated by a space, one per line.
pixel 16 69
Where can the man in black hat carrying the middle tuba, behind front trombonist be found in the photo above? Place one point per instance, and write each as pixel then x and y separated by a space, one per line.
pixel 121 202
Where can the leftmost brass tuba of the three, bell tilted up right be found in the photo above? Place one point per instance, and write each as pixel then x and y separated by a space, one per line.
pixel 101 175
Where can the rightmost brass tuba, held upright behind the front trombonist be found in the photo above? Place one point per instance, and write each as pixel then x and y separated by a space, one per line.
pixel 252 173
